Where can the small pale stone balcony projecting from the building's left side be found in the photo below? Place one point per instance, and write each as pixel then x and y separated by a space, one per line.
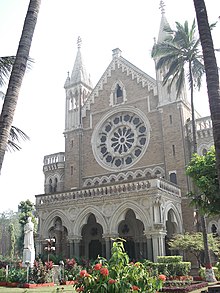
pixel 54 161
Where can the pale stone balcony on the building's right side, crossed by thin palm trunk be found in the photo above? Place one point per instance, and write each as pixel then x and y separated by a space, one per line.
pixel 203 127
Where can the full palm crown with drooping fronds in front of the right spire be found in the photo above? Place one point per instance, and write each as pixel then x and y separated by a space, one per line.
pixel 173 54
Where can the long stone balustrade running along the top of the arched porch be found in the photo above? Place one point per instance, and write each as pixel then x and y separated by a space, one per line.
pixel 106 191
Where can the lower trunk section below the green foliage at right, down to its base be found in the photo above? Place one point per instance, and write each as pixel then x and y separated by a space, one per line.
pixel 209 273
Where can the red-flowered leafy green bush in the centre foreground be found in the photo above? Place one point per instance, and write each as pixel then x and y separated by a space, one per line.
pixel 117 275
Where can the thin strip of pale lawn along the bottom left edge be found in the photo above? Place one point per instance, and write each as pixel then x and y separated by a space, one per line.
pixel 55 289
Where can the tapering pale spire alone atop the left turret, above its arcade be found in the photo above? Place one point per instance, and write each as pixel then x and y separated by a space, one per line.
pixel 79 74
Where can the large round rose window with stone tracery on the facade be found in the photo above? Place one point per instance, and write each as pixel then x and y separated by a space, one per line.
pixel 121 140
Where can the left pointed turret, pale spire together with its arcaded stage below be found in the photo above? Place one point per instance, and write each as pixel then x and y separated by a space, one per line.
pixel 78 87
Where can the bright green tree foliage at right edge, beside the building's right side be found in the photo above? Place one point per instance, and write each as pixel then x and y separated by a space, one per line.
pixel 203 171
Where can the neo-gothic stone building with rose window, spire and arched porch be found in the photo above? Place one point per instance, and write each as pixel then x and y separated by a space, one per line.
pixel 127 142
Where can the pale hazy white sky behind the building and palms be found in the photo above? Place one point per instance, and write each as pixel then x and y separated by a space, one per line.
pixel 103 26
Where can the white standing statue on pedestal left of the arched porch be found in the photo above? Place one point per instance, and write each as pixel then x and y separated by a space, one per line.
pixel 29 251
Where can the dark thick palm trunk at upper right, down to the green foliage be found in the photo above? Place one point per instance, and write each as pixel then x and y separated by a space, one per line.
pixel 212 76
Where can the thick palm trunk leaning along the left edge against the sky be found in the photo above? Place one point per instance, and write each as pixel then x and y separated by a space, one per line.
pixel 17 75
